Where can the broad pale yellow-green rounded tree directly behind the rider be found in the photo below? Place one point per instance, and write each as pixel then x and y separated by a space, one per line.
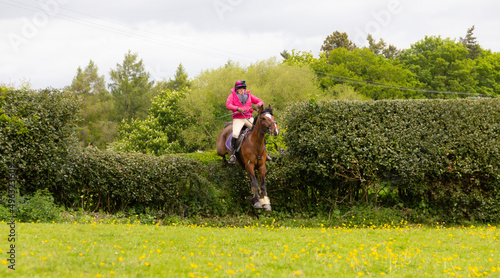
pixel 276 83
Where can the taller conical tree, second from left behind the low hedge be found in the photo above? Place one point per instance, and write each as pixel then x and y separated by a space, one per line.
pixel 131 88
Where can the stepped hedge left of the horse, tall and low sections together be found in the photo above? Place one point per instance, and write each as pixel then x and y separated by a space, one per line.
pixel 36 138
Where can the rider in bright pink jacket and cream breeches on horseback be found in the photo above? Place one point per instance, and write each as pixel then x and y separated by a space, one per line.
pixel 240 102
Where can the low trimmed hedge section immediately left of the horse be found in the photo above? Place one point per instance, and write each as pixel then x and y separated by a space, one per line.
pixel 113 181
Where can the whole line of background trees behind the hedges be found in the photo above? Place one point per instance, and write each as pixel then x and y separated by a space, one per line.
pixel 136 114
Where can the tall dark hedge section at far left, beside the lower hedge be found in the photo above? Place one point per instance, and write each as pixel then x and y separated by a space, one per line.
pixel 35 134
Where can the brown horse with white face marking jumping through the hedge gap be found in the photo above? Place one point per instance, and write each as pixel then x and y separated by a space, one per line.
pixel 252 154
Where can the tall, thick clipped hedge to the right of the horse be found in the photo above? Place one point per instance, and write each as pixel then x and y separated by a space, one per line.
pixel 441 157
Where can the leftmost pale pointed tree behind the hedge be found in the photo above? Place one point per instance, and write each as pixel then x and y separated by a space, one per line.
pixel 95 126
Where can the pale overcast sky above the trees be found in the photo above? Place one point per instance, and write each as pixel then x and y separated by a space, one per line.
pixel 45 41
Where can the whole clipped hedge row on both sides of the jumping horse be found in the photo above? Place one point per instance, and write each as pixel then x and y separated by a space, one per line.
pixel 436 158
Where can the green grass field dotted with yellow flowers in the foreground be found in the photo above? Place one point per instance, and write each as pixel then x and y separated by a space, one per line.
pixel 117 249
